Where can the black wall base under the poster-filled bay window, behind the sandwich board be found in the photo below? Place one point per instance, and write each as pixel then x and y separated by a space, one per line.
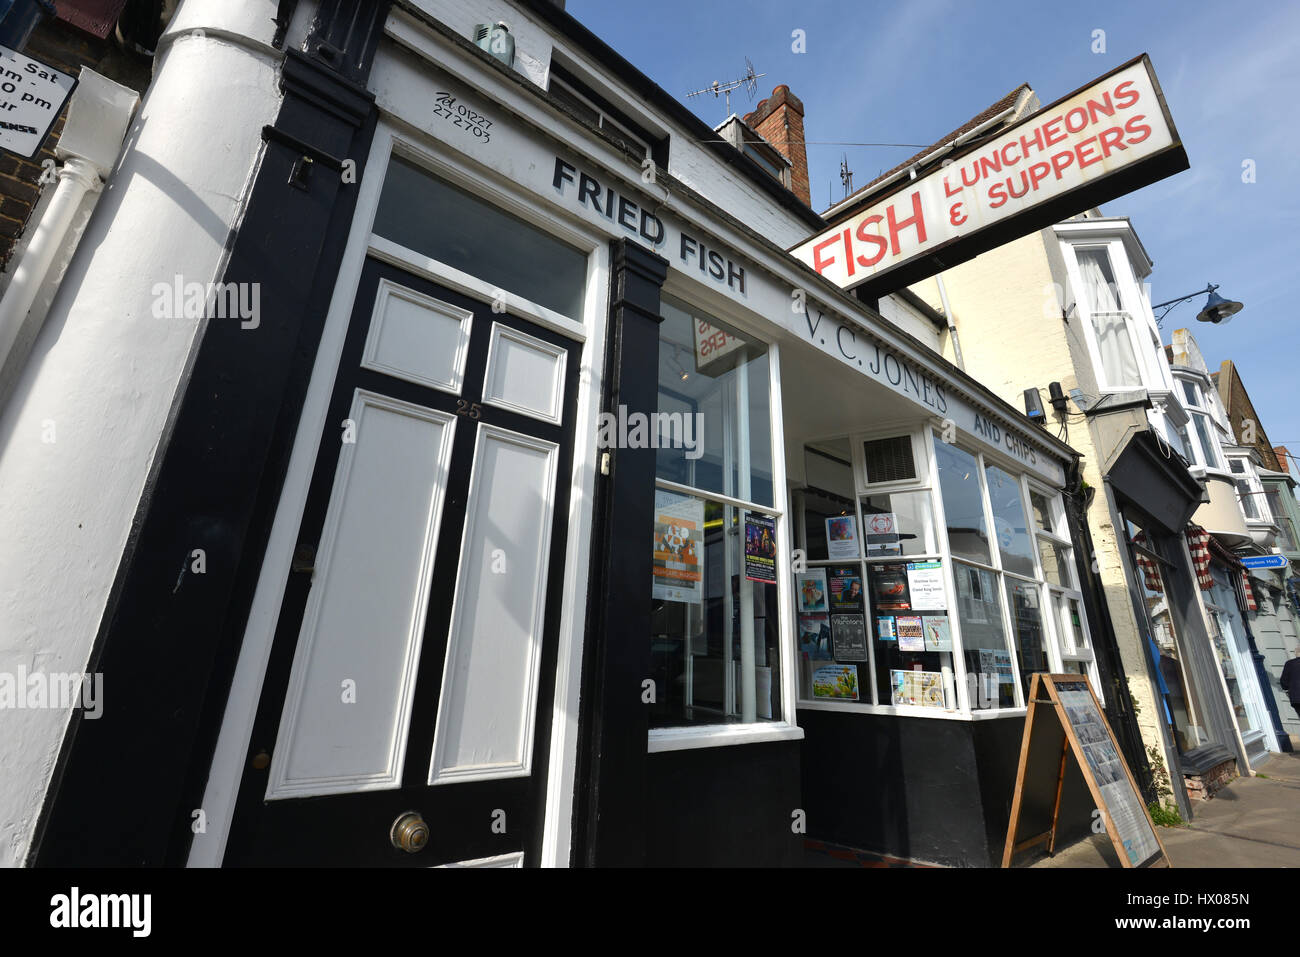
pixel 921 789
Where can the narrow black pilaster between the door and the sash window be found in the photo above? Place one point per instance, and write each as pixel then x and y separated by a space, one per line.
pixel 609 819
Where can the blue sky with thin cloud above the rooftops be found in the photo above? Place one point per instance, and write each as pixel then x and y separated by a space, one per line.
pixel 912 72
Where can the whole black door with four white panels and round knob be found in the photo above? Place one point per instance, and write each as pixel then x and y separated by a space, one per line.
pixel 413 670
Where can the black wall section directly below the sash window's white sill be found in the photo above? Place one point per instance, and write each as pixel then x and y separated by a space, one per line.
pixel 725 807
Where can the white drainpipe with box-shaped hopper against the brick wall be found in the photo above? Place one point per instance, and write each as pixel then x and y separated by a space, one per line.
pixel 97 123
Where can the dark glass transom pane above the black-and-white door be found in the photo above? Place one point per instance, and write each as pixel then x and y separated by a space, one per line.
pixel 443 222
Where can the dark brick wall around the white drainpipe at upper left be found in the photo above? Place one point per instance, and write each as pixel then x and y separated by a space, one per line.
pixel 66 49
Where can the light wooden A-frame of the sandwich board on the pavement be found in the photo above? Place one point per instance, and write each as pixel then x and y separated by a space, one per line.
pixel 1043 691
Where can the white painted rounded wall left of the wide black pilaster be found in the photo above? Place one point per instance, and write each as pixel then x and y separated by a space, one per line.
pixel 105 374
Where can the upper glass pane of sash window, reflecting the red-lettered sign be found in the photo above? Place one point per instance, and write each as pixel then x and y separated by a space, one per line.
pixel 714 383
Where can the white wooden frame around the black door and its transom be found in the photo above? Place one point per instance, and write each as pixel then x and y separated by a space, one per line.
pixel 207 850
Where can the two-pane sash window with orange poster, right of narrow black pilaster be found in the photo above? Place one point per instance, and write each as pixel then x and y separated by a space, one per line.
pixel 716 643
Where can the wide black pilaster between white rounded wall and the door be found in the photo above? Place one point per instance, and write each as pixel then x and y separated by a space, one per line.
pixel 125 783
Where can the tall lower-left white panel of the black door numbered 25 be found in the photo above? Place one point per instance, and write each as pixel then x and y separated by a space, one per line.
pixel 345 721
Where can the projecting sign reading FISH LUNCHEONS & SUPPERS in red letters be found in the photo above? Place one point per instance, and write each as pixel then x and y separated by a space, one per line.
pixel 1089 148
